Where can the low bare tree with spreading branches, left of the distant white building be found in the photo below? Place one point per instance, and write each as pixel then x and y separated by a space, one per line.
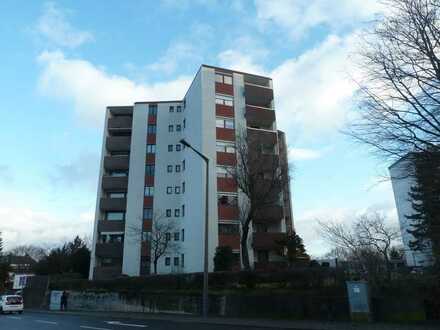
pixel 366 244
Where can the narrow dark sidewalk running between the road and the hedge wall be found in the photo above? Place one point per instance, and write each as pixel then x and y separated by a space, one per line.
pixel 252 323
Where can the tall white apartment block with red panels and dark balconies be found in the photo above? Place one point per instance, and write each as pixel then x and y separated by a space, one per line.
pixel 147 173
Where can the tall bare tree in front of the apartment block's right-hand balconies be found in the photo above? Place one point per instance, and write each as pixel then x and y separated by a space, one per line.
pixel 260 176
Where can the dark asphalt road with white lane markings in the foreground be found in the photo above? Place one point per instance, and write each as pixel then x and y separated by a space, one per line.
pixel 40 321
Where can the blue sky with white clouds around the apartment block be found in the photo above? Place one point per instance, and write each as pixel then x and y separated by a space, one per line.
pixel 63 62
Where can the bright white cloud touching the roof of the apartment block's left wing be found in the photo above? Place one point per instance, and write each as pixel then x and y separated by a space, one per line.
pixel 91 88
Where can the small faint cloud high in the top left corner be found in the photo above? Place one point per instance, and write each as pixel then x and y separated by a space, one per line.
pixel 54 26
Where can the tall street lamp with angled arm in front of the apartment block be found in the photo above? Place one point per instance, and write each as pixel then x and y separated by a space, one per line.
pixel 205 265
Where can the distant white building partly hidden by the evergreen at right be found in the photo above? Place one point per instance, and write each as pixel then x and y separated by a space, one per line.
pixel 402 180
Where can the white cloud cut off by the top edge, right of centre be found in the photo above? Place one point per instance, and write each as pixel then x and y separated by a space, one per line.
pixel 299 16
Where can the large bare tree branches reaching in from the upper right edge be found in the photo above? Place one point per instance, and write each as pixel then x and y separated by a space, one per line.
pixel 399 94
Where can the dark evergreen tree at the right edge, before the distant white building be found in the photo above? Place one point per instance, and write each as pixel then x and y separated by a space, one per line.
pixel 425 200
